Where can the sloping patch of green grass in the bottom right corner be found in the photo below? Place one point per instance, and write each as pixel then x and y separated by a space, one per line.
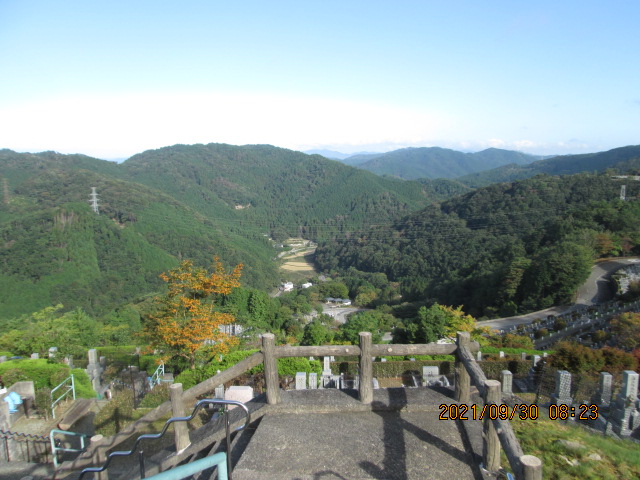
pixel 619 459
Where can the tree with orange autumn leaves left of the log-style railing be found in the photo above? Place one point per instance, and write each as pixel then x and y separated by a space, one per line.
pixel 186 321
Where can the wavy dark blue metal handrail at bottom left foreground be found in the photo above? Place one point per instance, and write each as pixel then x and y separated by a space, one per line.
pixel 155 436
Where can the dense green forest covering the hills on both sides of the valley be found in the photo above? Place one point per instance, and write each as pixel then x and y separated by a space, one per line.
pixel 494 250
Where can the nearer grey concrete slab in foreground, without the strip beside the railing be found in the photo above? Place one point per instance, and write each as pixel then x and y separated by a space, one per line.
pixel 394 445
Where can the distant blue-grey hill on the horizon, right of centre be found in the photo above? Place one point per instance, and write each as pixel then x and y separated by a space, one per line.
pixel 435 162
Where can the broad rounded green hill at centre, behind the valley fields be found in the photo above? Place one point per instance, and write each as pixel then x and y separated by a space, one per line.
pixel 281 191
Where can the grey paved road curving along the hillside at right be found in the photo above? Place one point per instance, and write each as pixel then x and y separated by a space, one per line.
pixel 596 289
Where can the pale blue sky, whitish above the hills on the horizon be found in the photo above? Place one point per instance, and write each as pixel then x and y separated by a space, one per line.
pixel 114 78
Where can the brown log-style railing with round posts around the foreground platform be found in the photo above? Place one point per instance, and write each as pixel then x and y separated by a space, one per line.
pixel 497 432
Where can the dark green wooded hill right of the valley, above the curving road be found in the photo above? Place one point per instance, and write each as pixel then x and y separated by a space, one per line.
pixel 501 249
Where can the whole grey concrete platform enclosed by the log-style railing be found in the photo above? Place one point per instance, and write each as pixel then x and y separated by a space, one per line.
pixel 326 435
